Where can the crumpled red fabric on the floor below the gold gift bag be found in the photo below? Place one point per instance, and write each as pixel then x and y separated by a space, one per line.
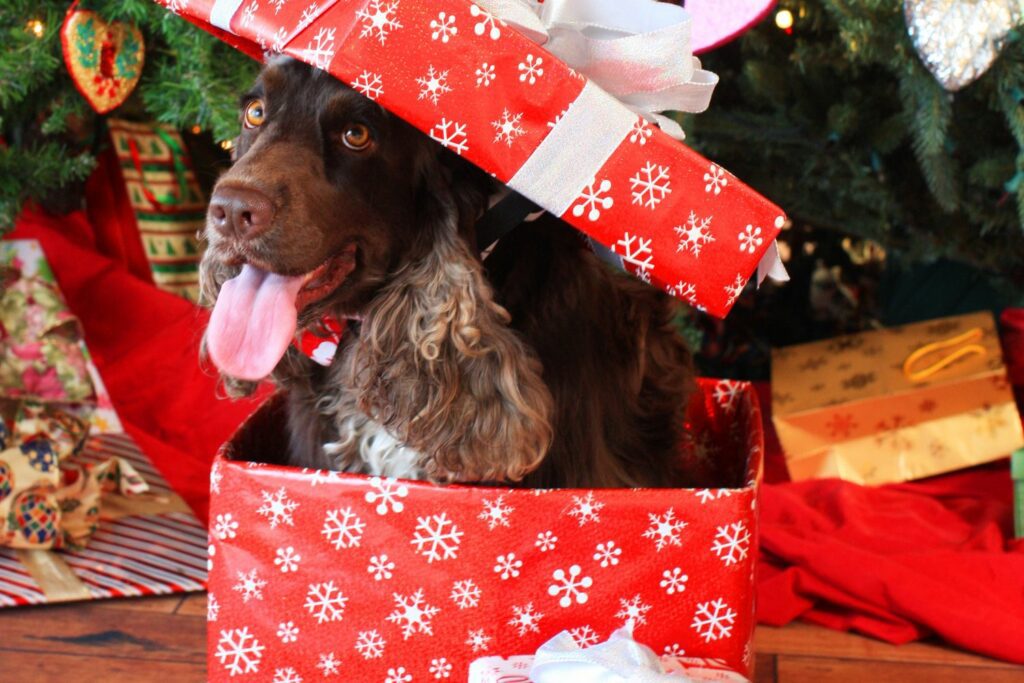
pixel 898 563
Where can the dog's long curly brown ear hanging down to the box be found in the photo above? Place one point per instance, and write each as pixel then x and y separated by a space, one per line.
pixel 438 364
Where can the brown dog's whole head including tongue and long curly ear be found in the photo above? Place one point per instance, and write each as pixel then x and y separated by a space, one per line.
pixel 335 207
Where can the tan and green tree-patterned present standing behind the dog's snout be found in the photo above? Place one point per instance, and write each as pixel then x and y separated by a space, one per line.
pixel 167 200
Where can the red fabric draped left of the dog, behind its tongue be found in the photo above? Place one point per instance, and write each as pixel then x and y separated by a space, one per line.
pixel 146 345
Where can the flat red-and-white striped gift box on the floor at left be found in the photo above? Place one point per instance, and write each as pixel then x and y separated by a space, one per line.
pixel 147 545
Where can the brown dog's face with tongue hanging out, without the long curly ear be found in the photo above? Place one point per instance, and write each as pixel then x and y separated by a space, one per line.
pixel 324 202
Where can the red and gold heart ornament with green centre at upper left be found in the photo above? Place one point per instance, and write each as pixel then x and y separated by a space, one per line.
pixel 105 60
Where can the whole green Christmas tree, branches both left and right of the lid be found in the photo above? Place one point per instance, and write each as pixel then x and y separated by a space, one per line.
pixel 829 111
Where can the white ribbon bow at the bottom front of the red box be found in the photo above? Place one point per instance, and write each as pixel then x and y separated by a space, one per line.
pixel 620 660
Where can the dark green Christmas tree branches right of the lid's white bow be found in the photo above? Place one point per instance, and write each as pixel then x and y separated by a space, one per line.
pixel 830 112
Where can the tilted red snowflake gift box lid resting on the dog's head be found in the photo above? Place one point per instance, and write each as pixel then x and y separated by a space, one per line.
pixel 488 93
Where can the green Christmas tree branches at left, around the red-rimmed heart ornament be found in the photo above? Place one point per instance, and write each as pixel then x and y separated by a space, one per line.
pixel 49 133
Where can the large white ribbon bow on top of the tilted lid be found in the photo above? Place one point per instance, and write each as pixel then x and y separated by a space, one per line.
pixel 636 51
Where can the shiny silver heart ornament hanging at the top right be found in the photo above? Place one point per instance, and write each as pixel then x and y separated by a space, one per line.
pixel 959 40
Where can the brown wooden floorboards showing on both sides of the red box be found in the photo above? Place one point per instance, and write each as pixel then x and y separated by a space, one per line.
pixel 164 641
